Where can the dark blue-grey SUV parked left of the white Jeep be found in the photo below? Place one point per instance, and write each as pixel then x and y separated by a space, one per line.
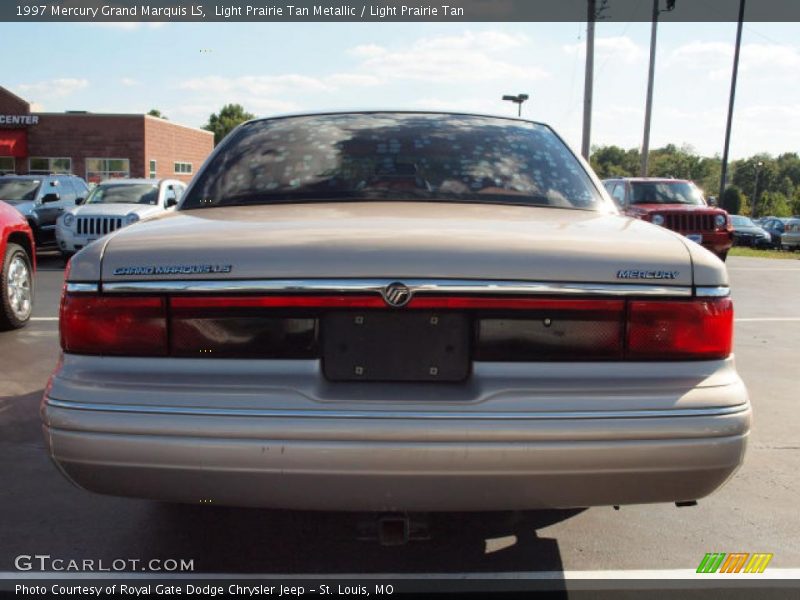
pixel 41 199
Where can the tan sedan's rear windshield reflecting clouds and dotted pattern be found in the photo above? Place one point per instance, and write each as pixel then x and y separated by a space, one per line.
pixel 391 156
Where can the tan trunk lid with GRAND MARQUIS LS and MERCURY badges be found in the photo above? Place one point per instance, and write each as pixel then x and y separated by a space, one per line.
pixel 397 240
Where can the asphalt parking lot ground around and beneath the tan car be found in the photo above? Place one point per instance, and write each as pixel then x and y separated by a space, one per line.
pixel 40 512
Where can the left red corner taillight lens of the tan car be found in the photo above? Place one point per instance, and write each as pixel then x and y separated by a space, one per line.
pixel 108 325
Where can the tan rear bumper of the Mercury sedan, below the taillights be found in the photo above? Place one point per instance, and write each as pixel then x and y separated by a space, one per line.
pixel 432 456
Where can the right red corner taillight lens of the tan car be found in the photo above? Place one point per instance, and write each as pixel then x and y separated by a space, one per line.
pixel 674 330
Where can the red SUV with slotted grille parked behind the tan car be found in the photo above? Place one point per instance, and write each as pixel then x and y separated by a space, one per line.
pixel 676 204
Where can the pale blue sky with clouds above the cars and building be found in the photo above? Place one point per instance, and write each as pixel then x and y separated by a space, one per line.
pixel 189 70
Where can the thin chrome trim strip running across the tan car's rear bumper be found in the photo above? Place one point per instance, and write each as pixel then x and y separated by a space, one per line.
pixel 387 414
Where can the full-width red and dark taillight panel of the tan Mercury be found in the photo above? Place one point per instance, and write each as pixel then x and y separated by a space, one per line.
pixel 506 328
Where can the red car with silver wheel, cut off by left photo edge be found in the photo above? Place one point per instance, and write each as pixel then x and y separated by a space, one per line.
pixel 17 264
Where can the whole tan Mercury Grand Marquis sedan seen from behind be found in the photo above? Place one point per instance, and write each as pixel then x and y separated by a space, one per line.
pixel 397 311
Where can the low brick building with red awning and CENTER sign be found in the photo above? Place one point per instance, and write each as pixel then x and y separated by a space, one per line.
pixel 97 146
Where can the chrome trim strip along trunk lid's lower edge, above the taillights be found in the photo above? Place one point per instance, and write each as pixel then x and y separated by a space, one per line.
pixel 417 286
